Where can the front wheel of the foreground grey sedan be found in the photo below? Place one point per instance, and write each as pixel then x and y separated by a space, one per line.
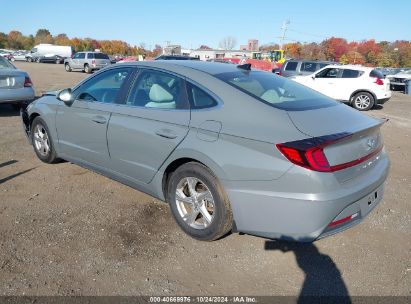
pixel 42 142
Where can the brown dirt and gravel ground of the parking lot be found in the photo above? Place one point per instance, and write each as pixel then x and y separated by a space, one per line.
pixel 67 231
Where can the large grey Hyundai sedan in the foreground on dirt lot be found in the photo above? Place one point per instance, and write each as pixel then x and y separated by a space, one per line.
pixel 229 148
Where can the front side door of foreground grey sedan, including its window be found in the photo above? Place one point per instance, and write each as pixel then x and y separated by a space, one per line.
pixel 82 126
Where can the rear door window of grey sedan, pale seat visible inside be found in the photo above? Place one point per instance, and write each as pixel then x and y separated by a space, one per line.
pixel 155 89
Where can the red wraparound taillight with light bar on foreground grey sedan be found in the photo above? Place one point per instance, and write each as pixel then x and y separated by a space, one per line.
pixel 309 153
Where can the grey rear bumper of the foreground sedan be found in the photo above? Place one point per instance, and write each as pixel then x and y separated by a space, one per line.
pixel 304 217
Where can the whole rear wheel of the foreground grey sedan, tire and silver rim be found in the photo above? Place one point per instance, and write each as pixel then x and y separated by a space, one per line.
pixel 198 202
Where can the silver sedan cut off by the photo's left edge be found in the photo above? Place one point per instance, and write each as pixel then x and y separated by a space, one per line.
pixel 16 87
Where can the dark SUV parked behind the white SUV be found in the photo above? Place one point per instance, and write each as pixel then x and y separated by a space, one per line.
pixel 295 67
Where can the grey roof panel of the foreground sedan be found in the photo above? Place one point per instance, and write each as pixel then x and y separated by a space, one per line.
pixel 212 68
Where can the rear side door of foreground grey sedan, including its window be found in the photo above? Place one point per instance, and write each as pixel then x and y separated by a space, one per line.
pixel 148 125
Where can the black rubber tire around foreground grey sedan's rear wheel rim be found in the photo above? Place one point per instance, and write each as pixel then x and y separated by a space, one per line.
pixel 222 216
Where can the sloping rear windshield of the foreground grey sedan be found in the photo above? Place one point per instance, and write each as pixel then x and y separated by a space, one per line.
pixel 276 91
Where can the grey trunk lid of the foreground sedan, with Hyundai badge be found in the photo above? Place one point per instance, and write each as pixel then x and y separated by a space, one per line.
pixel 361 148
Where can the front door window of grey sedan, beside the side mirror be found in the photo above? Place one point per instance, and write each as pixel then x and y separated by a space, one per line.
pixel 104 87
